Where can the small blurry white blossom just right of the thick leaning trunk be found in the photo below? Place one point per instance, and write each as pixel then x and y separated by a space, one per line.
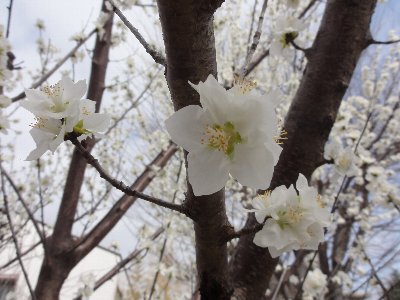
pixel 344 158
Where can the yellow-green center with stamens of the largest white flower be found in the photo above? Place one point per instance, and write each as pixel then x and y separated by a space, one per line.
pixel 222 138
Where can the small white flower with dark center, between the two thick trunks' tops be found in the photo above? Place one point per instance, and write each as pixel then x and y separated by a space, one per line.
pixel 286 30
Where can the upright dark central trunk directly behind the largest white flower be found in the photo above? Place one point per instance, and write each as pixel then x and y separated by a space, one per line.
pixel 190 48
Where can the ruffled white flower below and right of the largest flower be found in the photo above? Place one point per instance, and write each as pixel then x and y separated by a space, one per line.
pixel 296 221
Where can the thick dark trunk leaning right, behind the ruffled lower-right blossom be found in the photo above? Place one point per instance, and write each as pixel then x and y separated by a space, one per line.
pixel 341 38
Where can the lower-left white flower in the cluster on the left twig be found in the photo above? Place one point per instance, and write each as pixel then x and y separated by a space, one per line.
pixel 48 134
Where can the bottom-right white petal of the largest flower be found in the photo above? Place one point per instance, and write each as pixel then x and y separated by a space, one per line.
pixel 253 166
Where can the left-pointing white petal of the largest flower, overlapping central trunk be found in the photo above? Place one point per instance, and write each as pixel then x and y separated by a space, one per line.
pixel 186 127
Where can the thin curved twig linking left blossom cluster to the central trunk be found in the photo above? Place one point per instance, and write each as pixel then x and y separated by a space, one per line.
pixel 123 187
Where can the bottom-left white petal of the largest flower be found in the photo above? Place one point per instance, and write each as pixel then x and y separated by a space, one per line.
pixel 208 171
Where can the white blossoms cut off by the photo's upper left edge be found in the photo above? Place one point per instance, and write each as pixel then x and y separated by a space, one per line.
pixel 5 75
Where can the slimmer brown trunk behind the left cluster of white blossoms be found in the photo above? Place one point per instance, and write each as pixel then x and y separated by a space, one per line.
pixel 58 261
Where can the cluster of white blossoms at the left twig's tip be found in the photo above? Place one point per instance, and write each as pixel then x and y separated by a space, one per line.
pixel 59 110
